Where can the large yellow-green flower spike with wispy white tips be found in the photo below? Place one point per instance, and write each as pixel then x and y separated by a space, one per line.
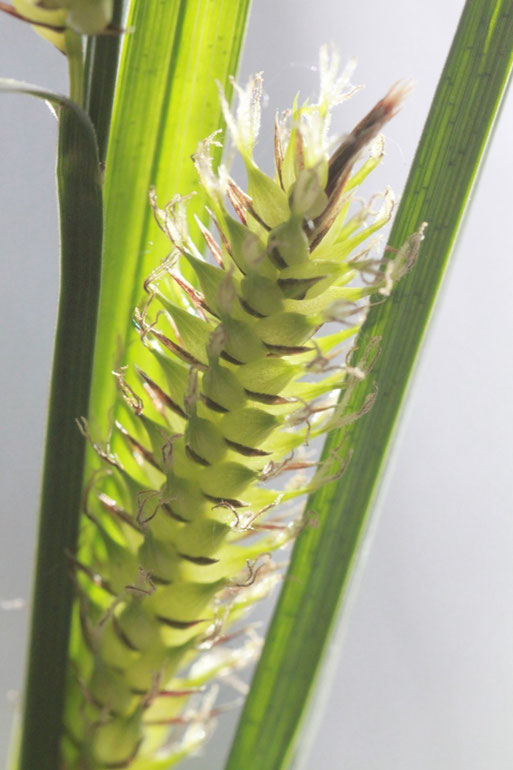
pixel 206 459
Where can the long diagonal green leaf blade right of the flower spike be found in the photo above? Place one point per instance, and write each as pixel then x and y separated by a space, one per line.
pixel 445 167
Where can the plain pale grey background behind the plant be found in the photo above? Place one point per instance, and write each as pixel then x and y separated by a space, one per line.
pixel 425 676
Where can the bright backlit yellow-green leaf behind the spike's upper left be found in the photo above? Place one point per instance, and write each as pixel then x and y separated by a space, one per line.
pixel 166 103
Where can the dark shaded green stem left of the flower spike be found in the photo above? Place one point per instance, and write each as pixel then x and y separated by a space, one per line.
pixel 81 238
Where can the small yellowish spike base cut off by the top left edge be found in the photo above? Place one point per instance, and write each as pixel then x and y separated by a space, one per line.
pixel 51 18
